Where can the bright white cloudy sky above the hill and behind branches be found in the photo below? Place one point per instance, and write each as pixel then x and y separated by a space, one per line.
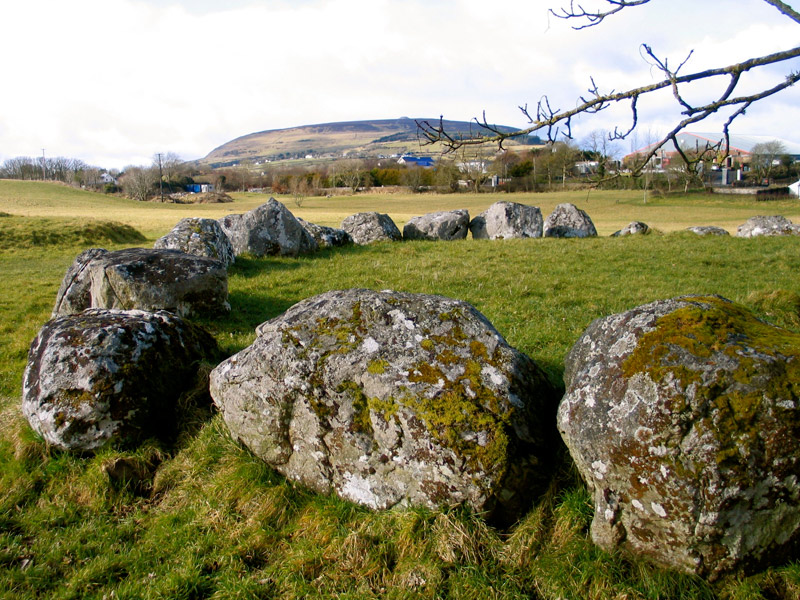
pixel 113 82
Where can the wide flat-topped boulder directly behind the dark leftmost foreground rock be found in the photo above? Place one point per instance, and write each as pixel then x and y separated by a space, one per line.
pixel 143 279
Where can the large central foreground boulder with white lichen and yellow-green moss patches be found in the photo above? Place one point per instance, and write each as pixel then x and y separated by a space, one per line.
pixel 390 398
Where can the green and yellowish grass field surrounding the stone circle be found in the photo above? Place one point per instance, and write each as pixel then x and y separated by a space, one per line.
pixel 216 523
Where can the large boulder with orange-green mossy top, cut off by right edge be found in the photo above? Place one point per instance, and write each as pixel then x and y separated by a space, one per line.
pixel 682 415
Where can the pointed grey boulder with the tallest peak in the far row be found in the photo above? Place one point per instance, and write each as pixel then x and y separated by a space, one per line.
pixel 267 230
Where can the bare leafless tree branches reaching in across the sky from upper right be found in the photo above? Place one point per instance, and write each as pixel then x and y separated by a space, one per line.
pixel 726 97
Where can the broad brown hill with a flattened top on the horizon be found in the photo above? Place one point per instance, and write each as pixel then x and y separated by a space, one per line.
pixel 335 140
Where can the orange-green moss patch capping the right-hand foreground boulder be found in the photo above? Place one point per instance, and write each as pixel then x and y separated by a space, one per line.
pixel 767 369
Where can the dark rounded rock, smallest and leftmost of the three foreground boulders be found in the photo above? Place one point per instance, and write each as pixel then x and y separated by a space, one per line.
pixel 110 376
